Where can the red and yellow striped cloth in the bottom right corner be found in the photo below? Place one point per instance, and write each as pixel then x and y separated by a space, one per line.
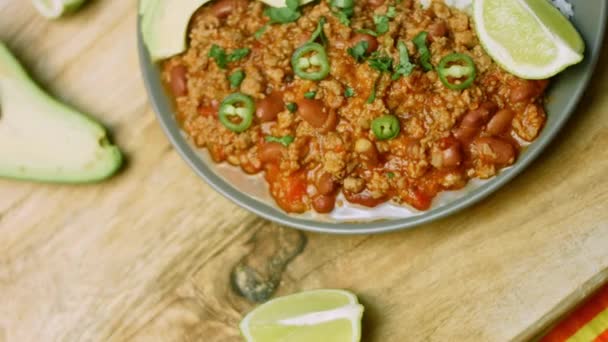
pixel 588 323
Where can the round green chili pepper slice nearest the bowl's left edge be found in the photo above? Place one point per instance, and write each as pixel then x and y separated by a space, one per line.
pixel 236 112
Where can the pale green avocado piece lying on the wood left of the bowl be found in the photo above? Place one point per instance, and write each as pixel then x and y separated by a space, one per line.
pixel 44 140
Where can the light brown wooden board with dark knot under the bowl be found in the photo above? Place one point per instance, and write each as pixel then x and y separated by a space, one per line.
pixel 148 255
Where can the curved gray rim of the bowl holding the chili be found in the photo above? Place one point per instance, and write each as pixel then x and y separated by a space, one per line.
pixel 251 204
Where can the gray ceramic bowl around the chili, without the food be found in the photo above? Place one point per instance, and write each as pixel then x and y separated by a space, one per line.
pixel 566 91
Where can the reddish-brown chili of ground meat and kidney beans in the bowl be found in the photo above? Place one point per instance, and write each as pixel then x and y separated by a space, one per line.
pixel 440 145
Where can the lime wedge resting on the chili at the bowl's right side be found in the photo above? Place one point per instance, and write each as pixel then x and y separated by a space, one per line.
pixel 529 38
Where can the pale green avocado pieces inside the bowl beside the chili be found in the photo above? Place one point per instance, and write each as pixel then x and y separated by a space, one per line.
pixel 164 24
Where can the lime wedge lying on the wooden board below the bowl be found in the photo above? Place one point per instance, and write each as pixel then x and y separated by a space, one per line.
pixel 319 315
